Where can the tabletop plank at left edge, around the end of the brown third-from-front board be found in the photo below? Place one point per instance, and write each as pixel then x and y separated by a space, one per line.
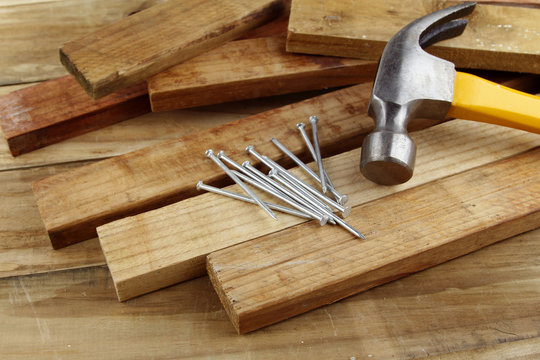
pixel 24 242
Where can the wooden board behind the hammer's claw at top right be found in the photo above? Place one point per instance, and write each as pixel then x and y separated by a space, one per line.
pixel 497 38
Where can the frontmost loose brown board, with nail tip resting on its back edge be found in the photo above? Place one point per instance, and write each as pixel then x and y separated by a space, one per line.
pixel 293 271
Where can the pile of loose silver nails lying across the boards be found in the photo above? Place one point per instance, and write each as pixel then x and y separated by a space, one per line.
pixel 306 201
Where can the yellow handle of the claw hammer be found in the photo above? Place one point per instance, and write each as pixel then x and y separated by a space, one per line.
pixel 482 100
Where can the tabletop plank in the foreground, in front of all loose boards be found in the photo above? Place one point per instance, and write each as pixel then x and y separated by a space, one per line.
pixel 474 302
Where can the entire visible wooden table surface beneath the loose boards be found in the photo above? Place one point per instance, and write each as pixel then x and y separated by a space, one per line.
pixel 62 304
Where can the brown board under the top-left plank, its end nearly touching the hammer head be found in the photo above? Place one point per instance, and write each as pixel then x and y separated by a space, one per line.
pixel 248 69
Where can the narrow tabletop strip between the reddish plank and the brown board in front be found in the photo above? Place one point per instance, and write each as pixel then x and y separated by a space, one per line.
pixel 143 131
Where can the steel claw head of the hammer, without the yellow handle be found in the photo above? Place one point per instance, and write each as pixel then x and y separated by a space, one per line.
pixel 410 83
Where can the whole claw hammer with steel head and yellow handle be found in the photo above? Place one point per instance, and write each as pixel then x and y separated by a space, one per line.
pixel 411 83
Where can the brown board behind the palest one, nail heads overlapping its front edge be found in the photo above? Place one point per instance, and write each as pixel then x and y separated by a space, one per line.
pixel 73 204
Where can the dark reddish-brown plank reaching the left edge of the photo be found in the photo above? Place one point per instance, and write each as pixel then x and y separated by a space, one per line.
pixel 55 110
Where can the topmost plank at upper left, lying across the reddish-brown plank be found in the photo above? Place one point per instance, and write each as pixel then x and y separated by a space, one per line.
pixel 142 45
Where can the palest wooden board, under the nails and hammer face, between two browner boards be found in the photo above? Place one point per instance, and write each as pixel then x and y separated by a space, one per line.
pixel 165 246
